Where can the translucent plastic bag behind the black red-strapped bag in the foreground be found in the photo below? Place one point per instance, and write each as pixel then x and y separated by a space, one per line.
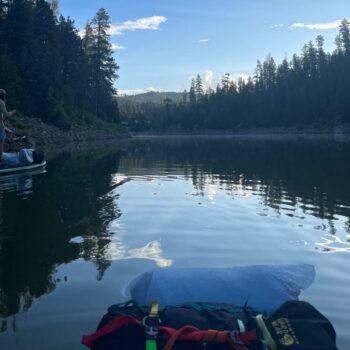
pixel 262 287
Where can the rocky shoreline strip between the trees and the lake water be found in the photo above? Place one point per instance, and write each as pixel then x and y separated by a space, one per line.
pixel 34 133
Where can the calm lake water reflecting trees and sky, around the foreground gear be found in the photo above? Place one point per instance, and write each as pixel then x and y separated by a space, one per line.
pixel 70 238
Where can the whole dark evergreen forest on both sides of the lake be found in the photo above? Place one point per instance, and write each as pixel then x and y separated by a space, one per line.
pixel 65 76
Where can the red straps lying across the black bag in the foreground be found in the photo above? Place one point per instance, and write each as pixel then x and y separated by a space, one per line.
pixel 188 333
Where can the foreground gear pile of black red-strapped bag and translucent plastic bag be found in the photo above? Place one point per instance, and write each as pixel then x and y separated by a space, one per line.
pixel 294 325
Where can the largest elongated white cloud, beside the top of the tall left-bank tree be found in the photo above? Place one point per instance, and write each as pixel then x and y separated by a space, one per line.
pixel 146 23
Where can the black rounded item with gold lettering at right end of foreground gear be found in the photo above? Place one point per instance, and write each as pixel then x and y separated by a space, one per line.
pixel 297 325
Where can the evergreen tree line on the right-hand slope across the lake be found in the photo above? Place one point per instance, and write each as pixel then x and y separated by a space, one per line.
pixel 311 88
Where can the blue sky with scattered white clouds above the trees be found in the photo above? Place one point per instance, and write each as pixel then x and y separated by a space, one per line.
pixel 160 45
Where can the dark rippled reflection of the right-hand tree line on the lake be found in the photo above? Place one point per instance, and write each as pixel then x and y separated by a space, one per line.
pixel 311 175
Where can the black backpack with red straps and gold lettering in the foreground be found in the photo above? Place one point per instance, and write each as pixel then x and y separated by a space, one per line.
pixel 211 326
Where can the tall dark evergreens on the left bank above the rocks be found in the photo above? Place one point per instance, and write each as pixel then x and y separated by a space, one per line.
pixel 51 71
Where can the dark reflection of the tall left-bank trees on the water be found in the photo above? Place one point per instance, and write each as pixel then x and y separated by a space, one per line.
pixel 35 232
